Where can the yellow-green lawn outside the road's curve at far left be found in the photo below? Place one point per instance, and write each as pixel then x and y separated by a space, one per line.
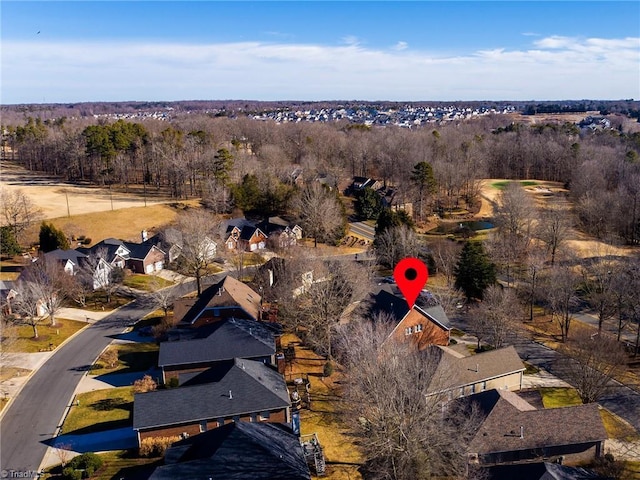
pixel 48 337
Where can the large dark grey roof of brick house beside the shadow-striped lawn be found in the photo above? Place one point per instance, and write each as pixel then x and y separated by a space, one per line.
pixel 254 387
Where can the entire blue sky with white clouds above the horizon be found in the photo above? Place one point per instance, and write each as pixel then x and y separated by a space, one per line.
pixel 78 51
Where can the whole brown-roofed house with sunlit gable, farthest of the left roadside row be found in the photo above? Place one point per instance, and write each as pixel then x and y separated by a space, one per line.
pixel 227 298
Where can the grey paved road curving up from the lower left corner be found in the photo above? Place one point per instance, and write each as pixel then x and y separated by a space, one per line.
pixel 35 415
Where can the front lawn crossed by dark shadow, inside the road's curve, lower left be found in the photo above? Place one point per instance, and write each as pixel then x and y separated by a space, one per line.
pixel 100 410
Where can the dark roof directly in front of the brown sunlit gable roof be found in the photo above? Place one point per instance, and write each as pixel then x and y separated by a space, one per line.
pixel 224 340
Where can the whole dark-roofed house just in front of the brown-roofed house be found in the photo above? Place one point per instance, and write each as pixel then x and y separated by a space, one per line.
pixel 196 350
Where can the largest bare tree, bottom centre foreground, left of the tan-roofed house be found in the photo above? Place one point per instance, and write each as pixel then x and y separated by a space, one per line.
pixel 389 407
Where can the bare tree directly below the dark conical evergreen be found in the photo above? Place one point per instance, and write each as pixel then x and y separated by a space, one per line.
pixel 497 317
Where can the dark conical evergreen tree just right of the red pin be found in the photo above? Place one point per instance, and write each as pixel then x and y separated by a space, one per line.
pixel 474 271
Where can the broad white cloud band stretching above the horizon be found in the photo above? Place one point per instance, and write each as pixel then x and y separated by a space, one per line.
pixel 553 68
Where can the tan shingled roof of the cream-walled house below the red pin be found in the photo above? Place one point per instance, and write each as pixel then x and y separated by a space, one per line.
pixel 455 371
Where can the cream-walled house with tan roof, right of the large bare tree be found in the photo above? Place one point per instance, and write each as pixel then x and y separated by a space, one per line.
pixel 459 375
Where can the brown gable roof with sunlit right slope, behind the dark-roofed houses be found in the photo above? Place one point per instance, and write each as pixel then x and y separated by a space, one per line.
pixel 228 292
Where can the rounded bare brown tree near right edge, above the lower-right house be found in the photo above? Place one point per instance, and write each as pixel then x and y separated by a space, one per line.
pixel 590 362
